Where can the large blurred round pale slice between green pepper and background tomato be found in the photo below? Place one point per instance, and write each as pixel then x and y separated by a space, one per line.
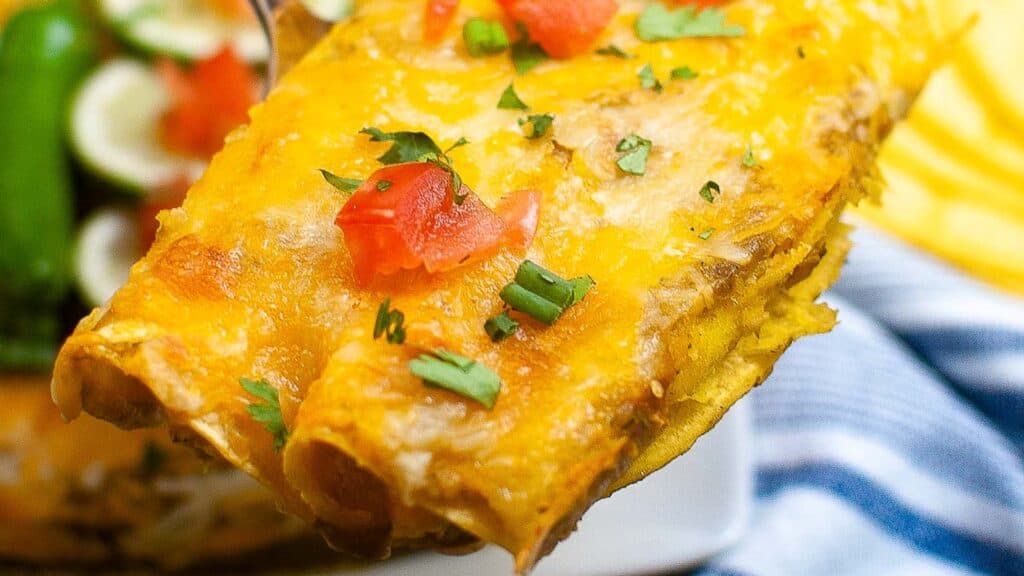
pixel 115 128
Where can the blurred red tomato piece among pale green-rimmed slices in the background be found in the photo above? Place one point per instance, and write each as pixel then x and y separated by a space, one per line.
pixel 208 102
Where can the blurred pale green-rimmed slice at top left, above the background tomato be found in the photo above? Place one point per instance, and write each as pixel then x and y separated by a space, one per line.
pixel 189 30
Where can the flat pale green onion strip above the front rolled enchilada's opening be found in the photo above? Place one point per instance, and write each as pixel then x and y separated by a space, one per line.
pixel 459 375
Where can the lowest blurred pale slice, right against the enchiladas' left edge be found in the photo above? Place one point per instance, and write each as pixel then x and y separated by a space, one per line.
pixel 107 249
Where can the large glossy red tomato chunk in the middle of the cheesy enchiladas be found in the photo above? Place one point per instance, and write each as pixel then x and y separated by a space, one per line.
pixel 415 222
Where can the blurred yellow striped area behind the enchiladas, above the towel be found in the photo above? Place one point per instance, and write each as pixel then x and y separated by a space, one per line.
pixel 956 171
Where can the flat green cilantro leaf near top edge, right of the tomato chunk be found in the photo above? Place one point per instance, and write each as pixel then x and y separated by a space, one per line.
pixel 658 23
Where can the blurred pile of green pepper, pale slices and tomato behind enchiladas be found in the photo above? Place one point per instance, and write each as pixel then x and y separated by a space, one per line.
pixel 105 128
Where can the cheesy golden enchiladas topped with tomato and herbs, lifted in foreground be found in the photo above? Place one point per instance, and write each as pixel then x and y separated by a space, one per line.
pixel 703 202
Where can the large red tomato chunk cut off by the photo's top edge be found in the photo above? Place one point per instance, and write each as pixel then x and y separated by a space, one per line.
pixel 566 28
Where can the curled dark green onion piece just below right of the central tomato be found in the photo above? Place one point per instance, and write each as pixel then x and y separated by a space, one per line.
pixel 543 295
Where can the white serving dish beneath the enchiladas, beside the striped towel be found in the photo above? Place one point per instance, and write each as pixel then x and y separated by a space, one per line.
pixel 674 520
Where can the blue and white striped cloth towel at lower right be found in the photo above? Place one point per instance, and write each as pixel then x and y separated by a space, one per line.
pixel 894 445
